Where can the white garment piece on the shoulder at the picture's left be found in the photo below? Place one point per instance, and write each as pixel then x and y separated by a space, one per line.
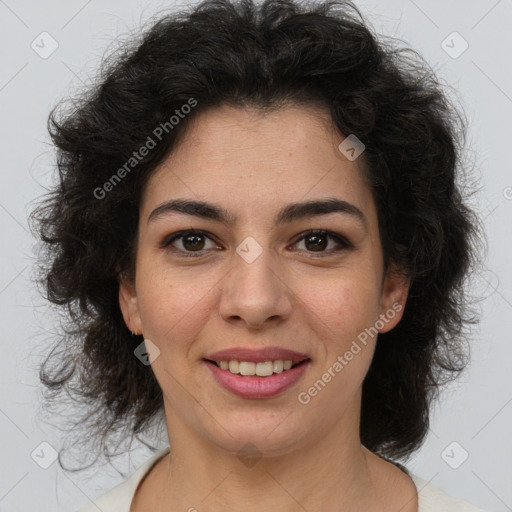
pixel 119 499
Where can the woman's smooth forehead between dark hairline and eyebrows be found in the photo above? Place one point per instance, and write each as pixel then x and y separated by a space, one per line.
pixel 253 163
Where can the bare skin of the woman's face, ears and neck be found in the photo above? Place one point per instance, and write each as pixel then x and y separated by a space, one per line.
pixel 292 296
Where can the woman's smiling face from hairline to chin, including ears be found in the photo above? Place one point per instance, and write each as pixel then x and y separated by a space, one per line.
pixel 252 278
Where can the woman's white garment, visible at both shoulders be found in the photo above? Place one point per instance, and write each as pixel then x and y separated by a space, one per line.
pixel 119 499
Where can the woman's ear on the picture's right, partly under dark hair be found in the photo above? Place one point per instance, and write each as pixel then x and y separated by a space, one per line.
pixel 395 289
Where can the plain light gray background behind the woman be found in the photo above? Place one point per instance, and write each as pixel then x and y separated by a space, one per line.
pixel 476 412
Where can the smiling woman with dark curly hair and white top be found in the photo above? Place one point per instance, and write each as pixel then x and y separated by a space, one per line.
pixel 258 233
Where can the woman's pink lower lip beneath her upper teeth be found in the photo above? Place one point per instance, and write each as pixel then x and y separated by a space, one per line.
pixel 254 386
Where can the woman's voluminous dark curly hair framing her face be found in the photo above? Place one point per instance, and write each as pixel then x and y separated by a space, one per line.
pixel 266 56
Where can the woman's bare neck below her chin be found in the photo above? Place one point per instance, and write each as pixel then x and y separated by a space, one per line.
pixel 332 472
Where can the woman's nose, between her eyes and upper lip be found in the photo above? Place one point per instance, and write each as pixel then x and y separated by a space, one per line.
pixel 255 292
